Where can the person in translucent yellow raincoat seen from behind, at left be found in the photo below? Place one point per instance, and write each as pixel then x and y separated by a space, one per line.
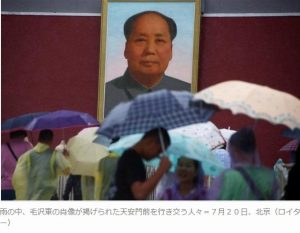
pixel 36 173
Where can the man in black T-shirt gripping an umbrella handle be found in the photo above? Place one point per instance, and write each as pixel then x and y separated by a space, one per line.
pixel 130 178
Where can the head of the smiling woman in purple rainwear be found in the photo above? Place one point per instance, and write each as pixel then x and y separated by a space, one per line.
pixel 188 170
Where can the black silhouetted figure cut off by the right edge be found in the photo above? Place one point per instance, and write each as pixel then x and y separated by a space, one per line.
pixel 291 190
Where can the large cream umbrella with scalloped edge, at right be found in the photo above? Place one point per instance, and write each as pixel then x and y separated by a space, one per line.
pixel 256 101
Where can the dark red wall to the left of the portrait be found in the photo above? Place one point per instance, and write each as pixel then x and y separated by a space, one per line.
pixel 49 63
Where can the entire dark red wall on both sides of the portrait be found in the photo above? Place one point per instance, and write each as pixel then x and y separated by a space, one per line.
pixel 51 63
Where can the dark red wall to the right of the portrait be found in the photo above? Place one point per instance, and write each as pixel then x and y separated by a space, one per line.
pixel 263 50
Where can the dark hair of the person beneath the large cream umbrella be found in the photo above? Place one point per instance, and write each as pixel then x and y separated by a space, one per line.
pixel 244 140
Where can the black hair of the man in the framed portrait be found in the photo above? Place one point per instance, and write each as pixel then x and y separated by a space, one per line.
pixel 130 21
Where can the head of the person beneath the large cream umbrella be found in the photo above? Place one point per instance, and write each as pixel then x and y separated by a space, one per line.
pixel 242 146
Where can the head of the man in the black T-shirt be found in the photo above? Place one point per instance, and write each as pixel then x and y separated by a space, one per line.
pixel 152 141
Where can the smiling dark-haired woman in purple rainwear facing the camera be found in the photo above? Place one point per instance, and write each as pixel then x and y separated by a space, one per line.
pixel 189 182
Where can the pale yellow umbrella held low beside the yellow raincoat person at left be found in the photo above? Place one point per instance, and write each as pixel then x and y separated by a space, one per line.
pixel 85 155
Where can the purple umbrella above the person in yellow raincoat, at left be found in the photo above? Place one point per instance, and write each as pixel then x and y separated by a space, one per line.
pixel 61 119
